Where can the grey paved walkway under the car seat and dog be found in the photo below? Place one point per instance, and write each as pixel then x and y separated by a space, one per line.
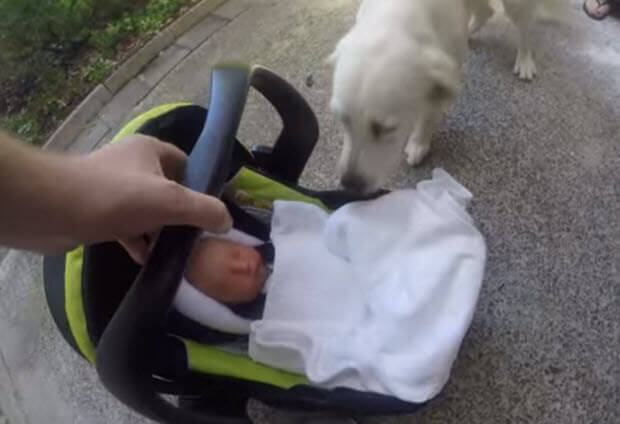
pixel 542 160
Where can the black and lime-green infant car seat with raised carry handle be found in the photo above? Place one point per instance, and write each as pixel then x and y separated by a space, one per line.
pixel 118 315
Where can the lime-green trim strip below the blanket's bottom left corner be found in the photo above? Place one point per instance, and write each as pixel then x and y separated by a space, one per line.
pixel 210 360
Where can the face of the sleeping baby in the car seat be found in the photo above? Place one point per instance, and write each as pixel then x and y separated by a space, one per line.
pixel 225 271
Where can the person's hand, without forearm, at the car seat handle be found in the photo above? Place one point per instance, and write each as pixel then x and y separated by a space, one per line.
pixel 130 190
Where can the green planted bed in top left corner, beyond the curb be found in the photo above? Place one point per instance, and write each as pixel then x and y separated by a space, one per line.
pixel 52 52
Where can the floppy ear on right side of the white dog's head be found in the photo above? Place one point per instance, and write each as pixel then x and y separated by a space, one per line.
pixel 445 76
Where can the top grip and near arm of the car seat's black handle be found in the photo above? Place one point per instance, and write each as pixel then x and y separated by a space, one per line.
pixel 125 351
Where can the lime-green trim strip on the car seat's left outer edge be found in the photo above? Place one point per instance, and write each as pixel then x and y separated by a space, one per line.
pixel 74 306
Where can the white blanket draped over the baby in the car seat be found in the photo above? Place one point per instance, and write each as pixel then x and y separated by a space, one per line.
pixel 376 297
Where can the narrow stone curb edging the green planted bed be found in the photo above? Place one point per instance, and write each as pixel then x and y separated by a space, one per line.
pixel 88 109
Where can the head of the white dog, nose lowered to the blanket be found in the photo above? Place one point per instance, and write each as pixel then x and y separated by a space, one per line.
pixel 380 90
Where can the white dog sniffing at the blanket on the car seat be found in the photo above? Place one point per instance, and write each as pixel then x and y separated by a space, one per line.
pixel 398 69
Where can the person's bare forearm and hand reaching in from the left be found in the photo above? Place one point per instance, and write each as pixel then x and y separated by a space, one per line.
pixel 121 192
